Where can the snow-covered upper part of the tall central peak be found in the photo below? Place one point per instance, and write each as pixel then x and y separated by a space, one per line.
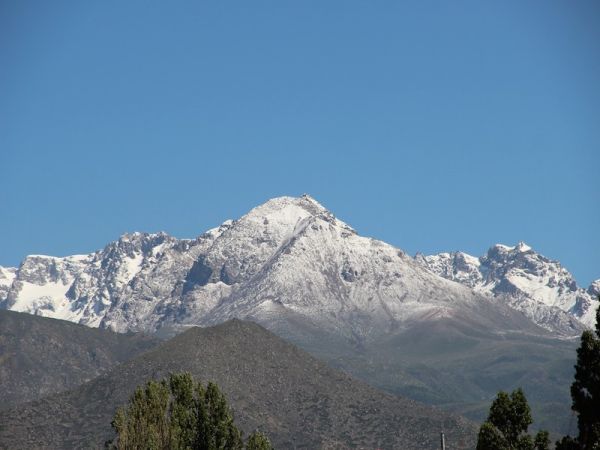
pixel 292 256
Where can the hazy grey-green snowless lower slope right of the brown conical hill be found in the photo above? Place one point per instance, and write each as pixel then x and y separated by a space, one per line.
pixel 458 363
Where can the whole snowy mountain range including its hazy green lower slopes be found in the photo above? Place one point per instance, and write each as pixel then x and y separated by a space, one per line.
pixel 431 327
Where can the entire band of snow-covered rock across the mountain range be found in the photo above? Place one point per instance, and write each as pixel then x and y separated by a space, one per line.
pixel 286 262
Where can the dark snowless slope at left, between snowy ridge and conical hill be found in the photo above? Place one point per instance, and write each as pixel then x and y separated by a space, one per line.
pixel 40 356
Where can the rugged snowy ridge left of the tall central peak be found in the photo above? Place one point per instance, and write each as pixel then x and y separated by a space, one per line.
pixel 84 288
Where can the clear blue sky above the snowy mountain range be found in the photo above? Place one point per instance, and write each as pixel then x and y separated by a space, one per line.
pixel 435 126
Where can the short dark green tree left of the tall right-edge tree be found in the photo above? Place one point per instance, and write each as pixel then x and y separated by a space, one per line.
pixel 507 424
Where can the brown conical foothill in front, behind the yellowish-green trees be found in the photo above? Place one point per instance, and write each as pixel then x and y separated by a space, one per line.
pixel 271 384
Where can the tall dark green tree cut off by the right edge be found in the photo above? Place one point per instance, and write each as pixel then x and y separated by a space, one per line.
pixel 585 393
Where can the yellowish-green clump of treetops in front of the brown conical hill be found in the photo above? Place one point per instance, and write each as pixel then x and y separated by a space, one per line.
pixel 178 413
